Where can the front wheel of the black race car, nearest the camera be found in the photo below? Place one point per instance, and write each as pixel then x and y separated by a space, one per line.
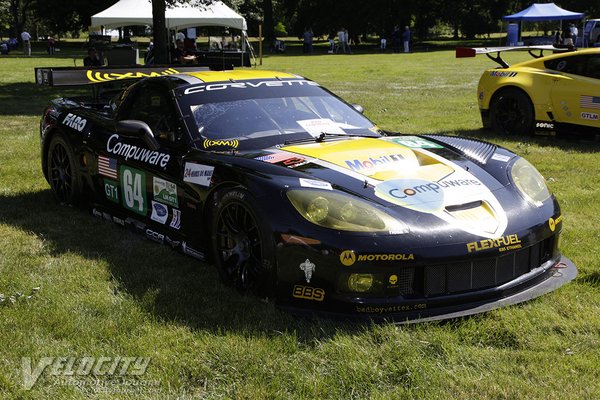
pixel 242 244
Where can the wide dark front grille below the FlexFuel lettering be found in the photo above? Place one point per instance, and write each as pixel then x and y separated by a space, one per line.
pixel 483 273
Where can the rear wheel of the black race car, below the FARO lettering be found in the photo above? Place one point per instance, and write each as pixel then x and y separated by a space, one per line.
pixel 63 171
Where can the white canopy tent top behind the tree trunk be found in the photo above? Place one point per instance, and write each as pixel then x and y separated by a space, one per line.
pixel 139 12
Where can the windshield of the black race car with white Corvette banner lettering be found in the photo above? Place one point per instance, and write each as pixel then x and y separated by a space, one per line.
pixel 276 110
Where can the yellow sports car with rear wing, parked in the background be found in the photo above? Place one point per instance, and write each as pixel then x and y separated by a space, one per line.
pixel 559 92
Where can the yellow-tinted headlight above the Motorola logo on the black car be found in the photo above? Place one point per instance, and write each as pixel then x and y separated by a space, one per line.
pixel 337 210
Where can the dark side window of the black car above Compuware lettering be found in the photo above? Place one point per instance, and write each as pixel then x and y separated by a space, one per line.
pixel 151 104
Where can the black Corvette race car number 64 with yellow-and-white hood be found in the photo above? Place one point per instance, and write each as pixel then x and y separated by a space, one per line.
pixel 293 194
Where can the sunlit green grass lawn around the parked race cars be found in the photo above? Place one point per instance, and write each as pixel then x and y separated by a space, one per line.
pixel 91 289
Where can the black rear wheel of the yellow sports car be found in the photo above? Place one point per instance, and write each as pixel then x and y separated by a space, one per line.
pixel 511 113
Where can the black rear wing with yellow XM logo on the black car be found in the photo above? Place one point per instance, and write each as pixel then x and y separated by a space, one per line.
pixel 75 76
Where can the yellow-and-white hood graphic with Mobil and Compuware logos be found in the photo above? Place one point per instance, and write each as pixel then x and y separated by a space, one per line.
pixel 404 172
